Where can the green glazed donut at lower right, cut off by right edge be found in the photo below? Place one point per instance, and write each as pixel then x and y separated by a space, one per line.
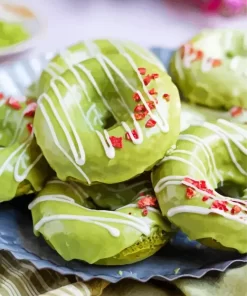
pixel 207 156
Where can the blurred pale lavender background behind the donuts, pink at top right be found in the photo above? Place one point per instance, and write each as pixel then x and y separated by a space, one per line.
pixel 166 23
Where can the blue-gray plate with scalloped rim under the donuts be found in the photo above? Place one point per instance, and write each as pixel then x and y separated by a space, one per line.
pixel 180 258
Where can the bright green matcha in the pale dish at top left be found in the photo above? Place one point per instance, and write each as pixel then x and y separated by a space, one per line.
pixel 12 33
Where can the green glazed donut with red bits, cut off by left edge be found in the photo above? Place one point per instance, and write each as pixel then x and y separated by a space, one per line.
pixel 23 168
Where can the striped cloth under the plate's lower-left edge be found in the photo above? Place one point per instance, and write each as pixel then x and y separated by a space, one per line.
pixel 20 278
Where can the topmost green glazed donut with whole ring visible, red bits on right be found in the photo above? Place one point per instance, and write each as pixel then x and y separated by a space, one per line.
pixel 109 119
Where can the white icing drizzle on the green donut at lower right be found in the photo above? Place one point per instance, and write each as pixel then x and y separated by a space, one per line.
pixel 178 180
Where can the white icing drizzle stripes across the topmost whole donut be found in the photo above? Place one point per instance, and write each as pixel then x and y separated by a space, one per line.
pixel 94 50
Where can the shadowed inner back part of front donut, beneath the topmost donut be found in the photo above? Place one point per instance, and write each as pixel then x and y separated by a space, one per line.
pixel 117 195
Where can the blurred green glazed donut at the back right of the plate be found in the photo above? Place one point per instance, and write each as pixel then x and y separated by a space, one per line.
pixel 210 69
